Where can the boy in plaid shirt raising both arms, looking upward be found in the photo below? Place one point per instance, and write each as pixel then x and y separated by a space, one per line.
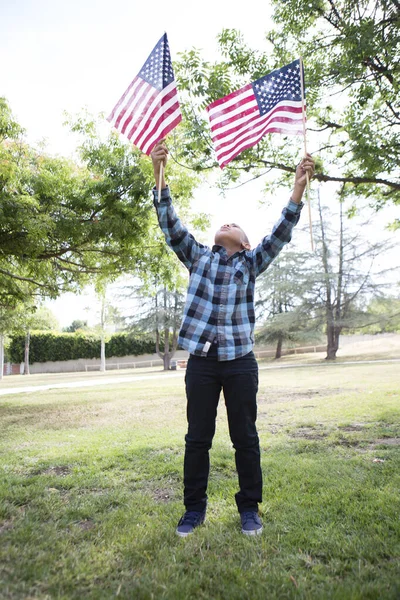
pixel 217 330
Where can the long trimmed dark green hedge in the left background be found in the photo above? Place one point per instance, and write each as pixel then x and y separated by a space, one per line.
pixel 71 346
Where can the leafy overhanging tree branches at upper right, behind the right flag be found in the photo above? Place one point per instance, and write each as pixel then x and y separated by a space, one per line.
pixel 351 57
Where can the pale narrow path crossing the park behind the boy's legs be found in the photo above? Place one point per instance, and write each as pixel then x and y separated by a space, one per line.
pixel 127 379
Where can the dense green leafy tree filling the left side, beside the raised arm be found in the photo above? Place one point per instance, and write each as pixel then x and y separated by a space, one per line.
pixel 62 222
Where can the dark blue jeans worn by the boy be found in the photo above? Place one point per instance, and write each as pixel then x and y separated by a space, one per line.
pixel 205 378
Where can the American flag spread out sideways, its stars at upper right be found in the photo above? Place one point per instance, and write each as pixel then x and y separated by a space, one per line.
pixel 271 104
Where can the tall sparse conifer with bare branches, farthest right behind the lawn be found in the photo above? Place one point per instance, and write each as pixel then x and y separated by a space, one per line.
pixel 341 276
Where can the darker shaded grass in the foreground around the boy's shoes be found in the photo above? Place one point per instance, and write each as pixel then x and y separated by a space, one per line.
pixel 101 525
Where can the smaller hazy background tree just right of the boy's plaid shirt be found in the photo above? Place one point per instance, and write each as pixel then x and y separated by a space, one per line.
pixel 281 291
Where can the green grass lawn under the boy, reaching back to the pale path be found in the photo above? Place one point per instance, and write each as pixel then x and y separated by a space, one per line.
pixel 90 492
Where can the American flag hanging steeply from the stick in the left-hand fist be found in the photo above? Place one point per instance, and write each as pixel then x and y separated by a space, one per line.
pixel 149 109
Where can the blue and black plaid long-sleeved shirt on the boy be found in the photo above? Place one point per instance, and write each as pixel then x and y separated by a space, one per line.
pixel 220 297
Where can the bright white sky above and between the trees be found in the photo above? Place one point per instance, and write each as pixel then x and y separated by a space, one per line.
pixel 66 56
